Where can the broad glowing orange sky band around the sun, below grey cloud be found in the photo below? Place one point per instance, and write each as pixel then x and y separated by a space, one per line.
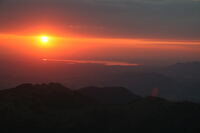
pixel 97 48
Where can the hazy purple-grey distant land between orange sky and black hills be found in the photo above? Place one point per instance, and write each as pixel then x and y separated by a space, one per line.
pixel 180 81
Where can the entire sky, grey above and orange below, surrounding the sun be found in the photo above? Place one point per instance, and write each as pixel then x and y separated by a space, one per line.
pixel 130 31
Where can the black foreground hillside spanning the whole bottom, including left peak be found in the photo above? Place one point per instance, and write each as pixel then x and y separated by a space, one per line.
pixel 54 108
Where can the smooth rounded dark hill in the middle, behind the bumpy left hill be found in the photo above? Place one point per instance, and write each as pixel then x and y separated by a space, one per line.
pixel 109 95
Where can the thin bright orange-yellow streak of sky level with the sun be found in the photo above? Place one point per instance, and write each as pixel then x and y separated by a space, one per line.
pixel 126 41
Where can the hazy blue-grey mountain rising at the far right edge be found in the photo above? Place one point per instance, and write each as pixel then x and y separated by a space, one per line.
pixel 187 75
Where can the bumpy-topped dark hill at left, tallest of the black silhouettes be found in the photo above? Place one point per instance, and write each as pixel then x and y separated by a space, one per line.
pixel 52 94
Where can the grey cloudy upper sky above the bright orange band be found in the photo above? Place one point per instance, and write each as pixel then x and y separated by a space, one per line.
pixel 170 19
